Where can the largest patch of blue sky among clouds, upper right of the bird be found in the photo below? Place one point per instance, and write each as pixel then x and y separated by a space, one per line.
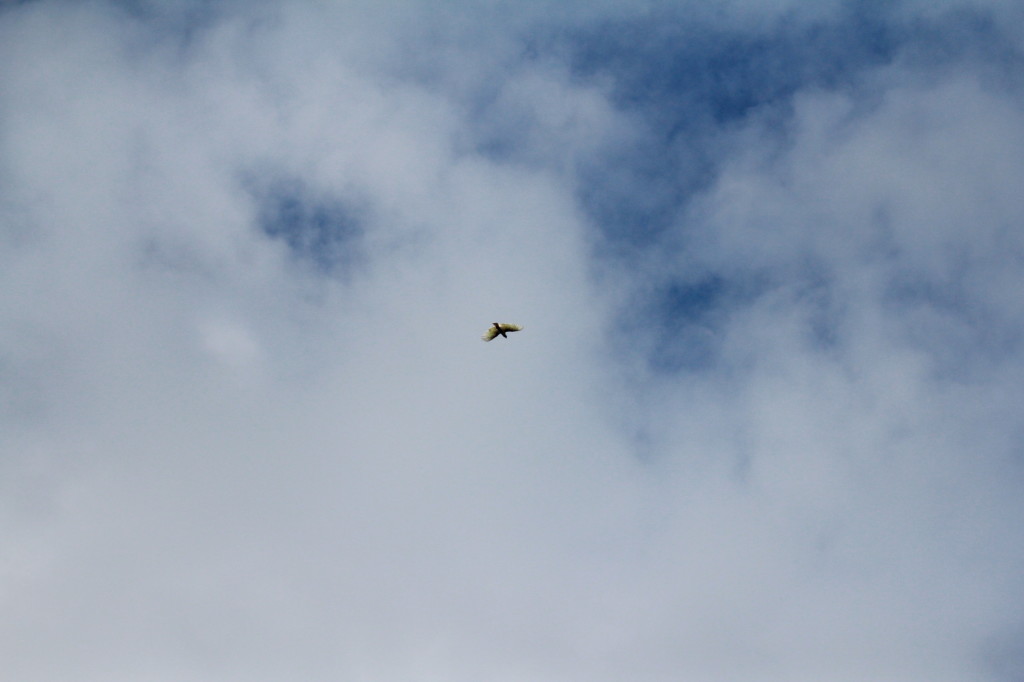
pixel 693 88
